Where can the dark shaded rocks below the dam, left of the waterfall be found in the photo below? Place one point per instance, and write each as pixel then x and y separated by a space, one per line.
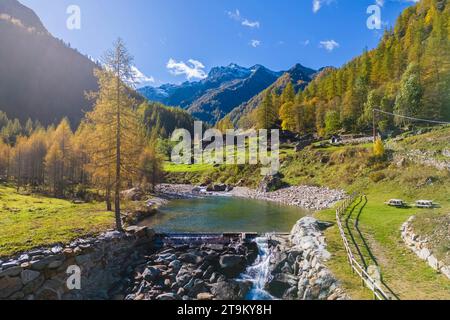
pixel 194 272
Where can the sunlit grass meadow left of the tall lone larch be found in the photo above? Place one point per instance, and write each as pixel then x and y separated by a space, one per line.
pixel 29 221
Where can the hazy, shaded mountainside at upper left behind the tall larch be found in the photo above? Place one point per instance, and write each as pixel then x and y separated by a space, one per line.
pixel 41 77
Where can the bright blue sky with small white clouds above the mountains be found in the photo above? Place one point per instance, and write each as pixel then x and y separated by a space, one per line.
pixel 173 41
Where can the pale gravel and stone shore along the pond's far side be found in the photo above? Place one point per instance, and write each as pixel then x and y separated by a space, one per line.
pixel 307 197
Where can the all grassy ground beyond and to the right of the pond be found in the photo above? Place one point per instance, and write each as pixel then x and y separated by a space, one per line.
pixel 353 169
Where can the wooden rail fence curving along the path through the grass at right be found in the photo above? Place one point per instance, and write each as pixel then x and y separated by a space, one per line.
pixel 367 280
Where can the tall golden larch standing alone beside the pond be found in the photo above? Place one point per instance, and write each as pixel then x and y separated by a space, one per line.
pixel 117 128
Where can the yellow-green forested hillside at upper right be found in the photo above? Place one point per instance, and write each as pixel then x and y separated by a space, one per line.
pixel 408 74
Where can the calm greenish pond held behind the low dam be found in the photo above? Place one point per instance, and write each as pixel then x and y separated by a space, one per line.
pixel 224 214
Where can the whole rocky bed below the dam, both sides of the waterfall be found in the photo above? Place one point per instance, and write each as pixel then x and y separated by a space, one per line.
pixel 294 270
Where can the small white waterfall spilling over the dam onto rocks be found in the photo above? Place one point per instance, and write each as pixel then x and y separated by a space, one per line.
pixel 259 272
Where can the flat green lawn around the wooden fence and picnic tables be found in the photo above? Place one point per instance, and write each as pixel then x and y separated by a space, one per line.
pixel 403 272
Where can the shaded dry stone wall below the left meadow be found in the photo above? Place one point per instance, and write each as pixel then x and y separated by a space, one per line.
pixel 100 262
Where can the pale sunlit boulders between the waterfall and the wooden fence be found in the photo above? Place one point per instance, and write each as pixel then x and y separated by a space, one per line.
pixel 297 265
